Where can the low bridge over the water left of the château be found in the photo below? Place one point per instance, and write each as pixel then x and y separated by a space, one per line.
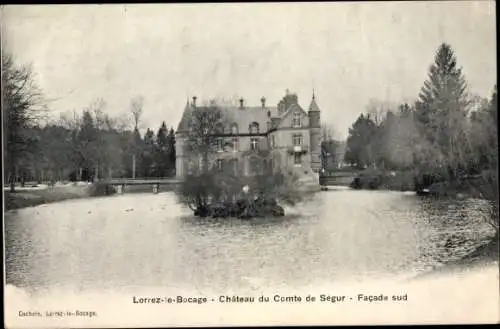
pixel 142 184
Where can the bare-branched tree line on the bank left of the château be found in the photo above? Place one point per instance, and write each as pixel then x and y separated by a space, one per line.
pixel 88 145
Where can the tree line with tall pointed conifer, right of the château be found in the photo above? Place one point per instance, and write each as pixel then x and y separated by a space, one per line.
pixel 445 133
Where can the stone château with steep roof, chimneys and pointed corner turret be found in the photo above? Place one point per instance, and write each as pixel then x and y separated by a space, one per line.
pixel 286 132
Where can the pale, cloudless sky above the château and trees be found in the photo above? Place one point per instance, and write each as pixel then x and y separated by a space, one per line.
pixel 348 53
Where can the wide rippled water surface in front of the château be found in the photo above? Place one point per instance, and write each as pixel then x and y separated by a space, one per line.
pixel 148 240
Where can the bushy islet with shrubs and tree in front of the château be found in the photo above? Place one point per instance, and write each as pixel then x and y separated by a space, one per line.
pixel 216 189
